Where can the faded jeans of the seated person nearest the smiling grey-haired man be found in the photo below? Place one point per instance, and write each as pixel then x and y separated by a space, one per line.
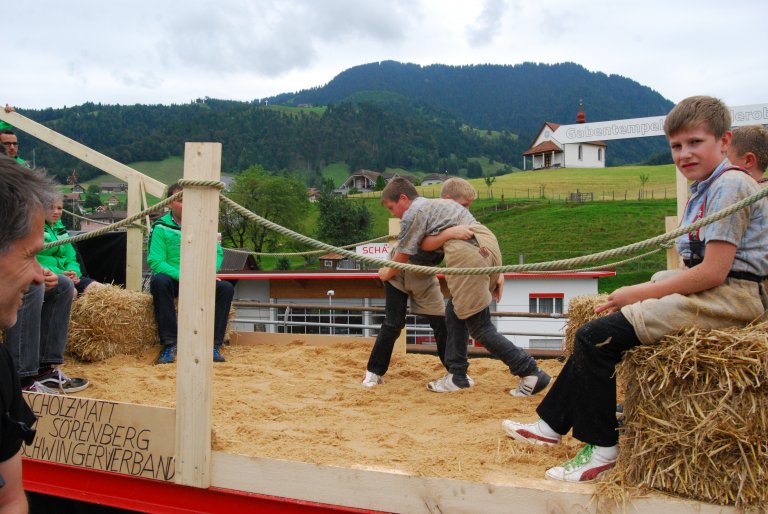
pixel 40 334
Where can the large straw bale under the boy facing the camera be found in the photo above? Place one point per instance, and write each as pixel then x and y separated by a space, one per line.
pixel 696 417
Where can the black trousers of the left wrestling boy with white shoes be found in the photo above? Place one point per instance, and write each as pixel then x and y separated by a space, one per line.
pixel 395 309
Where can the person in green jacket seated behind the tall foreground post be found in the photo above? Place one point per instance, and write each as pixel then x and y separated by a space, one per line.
pixel 164 258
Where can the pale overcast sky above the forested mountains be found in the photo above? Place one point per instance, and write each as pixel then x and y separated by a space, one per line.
pixel 164 51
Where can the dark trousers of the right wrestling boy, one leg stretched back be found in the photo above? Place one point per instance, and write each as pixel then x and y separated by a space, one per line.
pixel 482 330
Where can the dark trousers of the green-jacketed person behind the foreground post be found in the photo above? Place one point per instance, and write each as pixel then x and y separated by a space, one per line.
pixel 164 290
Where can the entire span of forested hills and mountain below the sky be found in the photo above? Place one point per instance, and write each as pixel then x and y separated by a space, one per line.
pixel 388 114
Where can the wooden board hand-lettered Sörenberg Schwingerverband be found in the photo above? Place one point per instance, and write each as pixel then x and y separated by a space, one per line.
pixel 135 440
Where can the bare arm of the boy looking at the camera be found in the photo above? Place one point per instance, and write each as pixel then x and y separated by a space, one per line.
pixel 712 272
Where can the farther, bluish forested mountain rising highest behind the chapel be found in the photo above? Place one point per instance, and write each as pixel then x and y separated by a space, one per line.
pixel 503 97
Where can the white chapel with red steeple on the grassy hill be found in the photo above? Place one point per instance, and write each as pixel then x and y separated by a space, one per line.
pixel 547 152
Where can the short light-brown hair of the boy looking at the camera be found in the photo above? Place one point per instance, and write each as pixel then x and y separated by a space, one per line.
pixel 696 111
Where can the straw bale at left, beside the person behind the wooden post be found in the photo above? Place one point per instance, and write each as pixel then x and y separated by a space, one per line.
pixel 110 320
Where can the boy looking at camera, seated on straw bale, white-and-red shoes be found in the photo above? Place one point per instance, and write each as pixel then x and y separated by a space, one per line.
pixel 725 263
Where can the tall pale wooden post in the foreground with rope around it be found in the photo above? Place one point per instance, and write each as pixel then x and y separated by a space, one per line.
pixel 197 289
